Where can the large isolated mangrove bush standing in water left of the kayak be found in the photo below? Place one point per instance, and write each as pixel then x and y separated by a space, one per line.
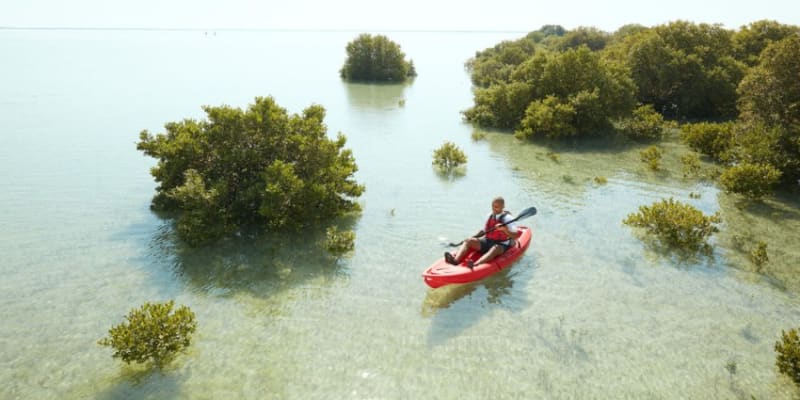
pixel 256 166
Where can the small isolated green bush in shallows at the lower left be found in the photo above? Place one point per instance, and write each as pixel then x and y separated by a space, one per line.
pixel 153 332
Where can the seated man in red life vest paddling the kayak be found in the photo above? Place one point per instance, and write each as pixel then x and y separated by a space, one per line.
pixel 497 236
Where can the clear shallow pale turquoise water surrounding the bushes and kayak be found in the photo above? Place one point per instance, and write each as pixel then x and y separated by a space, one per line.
pixel 589 312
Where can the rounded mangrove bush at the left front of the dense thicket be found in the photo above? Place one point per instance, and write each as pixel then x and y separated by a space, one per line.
pixel 568 93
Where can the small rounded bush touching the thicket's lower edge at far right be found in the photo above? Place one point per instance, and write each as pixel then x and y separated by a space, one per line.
pixel 751 180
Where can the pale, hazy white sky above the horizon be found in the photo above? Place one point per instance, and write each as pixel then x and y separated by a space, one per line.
pixel 375 15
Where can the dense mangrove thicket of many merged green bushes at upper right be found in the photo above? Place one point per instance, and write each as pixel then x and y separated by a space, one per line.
pixel 735 93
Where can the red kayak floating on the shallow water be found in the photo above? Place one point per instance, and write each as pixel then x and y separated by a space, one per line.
pixel 441 273
